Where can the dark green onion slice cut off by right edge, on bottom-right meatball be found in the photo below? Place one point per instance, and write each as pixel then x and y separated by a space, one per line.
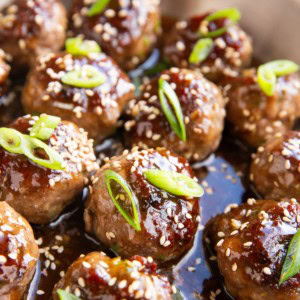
pixel 291 265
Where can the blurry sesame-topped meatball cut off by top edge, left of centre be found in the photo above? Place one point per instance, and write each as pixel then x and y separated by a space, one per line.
pixel 126 30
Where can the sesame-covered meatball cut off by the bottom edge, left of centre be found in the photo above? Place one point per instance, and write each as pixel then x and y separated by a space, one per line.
pixel 96 276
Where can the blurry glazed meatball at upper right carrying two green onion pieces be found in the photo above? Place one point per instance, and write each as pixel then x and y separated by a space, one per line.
pixel 231 51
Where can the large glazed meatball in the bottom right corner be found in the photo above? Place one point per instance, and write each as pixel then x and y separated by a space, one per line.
pixel 251 242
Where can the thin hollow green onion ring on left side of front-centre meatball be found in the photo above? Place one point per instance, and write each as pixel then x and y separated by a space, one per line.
pixel 134 220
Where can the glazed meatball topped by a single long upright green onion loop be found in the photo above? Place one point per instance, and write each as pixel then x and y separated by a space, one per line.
pixel 202 106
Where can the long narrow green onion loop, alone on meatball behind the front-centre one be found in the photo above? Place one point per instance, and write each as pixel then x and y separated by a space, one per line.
pixel 176 121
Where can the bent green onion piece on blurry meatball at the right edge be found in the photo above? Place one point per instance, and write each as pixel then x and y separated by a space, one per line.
pixel 267 73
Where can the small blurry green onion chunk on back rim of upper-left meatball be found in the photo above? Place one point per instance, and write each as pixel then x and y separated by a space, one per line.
pixel 78 46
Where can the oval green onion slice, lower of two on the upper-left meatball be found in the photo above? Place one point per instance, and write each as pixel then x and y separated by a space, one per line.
pixel 86 77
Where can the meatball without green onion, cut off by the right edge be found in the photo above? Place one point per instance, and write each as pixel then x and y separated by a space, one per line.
pixel 275 169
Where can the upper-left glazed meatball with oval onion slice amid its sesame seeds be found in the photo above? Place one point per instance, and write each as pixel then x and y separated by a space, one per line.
pixel 97 109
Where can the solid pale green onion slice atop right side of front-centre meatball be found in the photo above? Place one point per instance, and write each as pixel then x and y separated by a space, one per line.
pixel 174 183
